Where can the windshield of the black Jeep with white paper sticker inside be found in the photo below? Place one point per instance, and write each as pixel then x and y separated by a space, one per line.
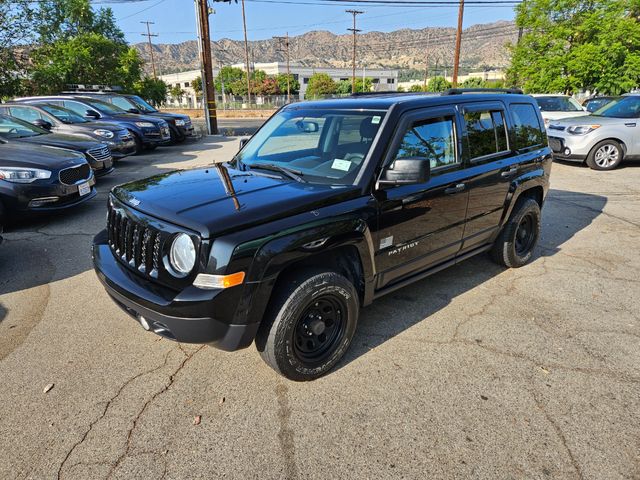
pixel 321 146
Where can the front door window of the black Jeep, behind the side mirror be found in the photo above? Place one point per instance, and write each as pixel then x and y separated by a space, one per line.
pixel 433 140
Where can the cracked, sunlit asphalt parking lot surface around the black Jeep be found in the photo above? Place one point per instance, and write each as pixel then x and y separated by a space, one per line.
pixel 476 372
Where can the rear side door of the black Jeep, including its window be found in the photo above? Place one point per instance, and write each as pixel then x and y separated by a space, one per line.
pixel 490 168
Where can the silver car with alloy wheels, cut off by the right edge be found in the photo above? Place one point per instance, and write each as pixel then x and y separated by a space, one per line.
pixel 602 139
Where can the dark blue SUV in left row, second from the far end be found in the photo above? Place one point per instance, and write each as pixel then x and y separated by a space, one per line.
pixel 148 132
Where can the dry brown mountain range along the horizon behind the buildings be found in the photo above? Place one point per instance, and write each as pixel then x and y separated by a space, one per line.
pixel 484 46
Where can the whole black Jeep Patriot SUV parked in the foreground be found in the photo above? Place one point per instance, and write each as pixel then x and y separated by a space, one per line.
pixel 330 205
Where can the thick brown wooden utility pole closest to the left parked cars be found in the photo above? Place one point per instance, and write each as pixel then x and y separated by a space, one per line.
pixel 208 90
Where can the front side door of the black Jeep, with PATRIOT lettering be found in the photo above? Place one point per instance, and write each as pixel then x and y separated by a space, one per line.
pixel 422 225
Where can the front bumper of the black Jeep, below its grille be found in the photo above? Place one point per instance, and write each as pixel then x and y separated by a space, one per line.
pixel 187 316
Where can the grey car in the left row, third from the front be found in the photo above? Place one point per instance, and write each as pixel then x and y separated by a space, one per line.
pixel 60 120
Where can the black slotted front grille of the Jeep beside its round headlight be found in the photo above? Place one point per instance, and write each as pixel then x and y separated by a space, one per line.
pixel 134 243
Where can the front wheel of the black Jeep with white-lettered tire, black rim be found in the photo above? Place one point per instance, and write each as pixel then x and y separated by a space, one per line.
pixel 309 324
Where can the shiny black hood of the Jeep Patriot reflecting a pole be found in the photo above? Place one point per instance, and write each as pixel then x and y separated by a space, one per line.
pixel 218 199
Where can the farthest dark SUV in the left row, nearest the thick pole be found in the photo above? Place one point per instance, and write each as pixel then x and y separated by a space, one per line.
pixel 180 125
